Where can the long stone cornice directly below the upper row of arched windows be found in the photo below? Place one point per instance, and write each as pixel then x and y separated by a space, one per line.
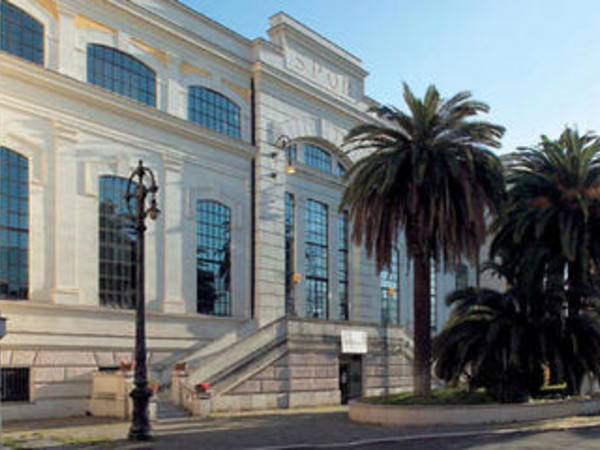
pixel 62 84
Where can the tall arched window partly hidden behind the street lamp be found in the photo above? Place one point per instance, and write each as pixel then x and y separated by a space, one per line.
pixel 118 245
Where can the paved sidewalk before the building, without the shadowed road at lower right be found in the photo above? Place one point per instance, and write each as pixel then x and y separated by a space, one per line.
pixel 316 428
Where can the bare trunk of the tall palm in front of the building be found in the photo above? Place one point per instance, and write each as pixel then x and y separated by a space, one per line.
pixel 422 333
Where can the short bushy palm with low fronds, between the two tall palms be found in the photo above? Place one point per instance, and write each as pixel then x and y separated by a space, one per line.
pixel 495 340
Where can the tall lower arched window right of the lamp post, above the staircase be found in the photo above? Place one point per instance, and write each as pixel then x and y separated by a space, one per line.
pixel 213 258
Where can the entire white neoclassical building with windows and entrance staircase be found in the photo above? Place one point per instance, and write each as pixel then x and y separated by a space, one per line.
pixel 250 273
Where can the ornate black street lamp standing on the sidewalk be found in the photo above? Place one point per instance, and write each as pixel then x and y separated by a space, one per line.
pixel 141 184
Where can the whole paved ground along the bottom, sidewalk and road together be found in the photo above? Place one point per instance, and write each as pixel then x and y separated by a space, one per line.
pixel 321 428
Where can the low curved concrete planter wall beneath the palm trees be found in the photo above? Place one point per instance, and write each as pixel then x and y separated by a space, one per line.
pixel 469 414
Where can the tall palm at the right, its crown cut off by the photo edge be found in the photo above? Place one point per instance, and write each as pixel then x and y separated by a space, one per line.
pixel 553 210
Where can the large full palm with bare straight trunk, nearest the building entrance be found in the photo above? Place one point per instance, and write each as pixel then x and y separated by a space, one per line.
pixel 431 174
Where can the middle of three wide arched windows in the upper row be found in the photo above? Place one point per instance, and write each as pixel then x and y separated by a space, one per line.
pixel 119 72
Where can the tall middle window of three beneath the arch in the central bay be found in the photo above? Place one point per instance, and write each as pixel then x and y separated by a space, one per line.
pixel 317 262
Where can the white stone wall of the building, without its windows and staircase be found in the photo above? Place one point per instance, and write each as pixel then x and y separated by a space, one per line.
pixel 296 84
